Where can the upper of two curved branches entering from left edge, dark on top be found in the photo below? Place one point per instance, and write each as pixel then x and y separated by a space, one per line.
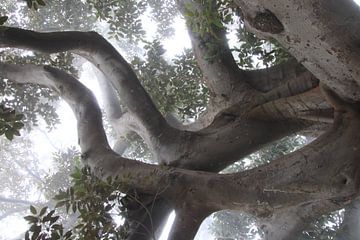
pixel 103 55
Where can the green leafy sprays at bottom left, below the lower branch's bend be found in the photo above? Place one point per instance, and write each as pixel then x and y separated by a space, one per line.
pixel 93 201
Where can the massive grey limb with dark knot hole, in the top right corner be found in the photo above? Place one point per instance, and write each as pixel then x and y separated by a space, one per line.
pixel 322 35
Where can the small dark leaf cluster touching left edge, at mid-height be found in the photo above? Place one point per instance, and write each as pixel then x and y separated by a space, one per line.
pixel 10 122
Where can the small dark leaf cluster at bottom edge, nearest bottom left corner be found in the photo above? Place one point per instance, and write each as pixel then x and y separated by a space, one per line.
pixel 43 225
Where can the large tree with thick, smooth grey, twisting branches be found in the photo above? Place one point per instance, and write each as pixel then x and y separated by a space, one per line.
pixel 247 109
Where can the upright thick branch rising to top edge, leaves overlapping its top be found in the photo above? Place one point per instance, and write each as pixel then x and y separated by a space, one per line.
pixel 226 82
